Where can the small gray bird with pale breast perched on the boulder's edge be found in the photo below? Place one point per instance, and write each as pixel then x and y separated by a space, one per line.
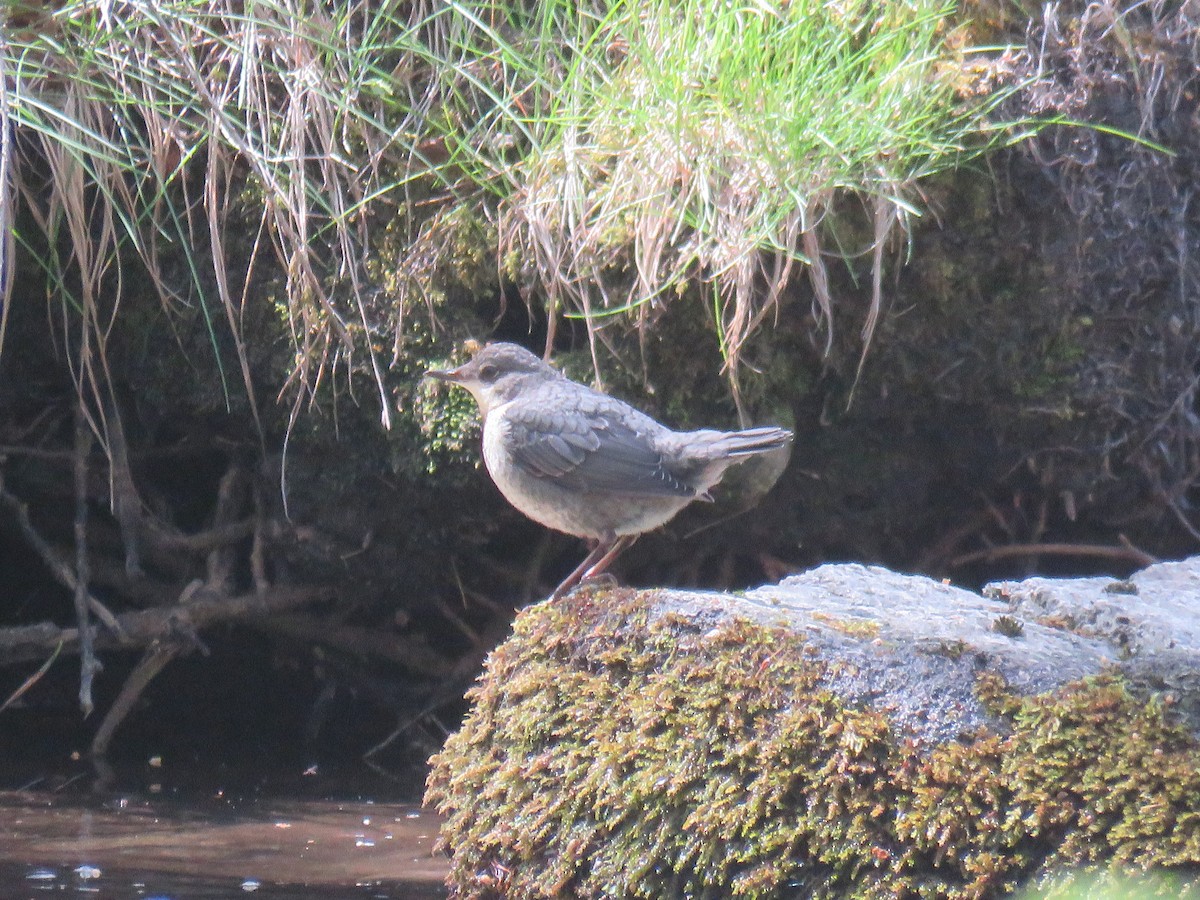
pixel 583 463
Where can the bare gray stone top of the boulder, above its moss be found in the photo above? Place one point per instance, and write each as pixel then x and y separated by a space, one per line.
pixel 914 647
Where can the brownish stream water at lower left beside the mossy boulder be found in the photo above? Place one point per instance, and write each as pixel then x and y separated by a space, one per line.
pixel 172 850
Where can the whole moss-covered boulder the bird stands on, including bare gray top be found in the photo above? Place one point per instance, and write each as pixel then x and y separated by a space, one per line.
pixel 849 733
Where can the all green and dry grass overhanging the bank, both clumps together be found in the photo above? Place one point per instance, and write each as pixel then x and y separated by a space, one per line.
pixel 628 151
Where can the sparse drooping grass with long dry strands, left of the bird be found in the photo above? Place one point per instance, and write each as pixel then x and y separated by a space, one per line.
pixel 203 143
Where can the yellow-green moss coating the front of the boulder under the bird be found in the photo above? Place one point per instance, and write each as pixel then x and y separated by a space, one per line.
pixel 613 755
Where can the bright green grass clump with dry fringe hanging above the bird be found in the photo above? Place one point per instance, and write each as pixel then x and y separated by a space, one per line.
pixel 711 141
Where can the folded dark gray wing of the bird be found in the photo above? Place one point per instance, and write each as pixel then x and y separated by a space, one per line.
pixel 592 449
